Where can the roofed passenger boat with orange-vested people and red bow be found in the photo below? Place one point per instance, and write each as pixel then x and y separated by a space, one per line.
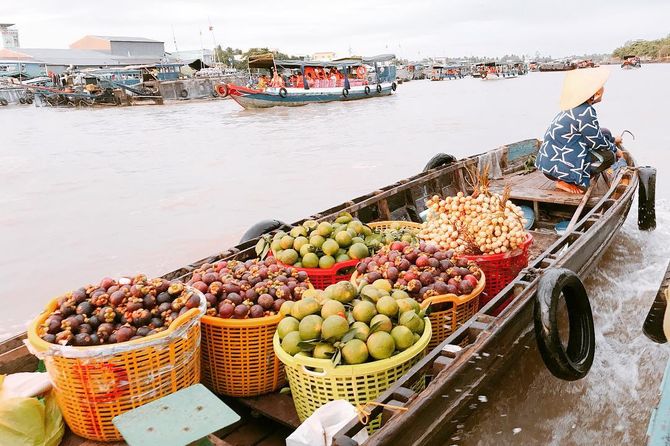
pixel 293 83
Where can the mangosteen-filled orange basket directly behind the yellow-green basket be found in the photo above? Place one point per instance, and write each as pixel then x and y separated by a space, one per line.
pixel 429 274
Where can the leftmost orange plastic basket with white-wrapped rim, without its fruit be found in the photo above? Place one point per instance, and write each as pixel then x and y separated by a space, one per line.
pixel 94 384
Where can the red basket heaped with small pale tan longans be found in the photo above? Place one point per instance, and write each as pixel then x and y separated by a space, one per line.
pixel 483 227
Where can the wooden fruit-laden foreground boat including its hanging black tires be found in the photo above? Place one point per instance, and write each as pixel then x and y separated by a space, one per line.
pixel 493 339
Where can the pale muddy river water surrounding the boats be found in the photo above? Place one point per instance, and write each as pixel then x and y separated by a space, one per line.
pixel 90 193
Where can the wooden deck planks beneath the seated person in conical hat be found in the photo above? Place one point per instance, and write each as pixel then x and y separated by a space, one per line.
pixel 536 187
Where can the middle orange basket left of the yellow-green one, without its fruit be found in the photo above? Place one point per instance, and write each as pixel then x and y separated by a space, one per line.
pixel 237 356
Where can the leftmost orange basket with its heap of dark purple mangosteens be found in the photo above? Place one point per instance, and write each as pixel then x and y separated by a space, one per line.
pixel 115 346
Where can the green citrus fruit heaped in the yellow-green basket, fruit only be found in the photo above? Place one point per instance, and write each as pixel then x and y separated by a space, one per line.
pixel 347 326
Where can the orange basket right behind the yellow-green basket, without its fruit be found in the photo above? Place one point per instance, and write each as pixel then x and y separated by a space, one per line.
pixel 449 310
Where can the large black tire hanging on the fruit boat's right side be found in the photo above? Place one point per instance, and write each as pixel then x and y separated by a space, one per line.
pixel 574 362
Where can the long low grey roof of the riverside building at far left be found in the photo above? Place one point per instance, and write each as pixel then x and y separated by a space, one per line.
pixel 66 56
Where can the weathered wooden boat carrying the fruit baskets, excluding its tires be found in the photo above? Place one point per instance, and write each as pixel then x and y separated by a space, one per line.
pixel 473 356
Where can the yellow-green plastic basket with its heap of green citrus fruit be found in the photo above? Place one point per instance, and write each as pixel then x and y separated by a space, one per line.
pixel 342 344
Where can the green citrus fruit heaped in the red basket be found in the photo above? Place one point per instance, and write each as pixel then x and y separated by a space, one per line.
pixel 321 245
